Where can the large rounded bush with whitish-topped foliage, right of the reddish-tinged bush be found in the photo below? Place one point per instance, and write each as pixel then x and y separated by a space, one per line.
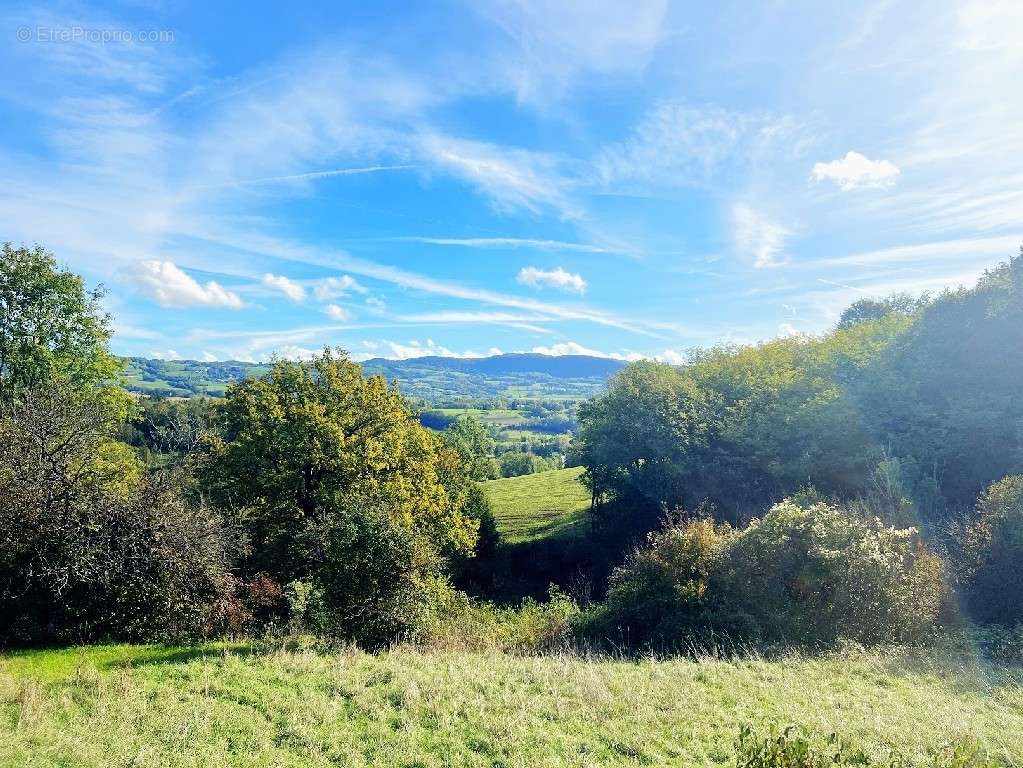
pixel 817 574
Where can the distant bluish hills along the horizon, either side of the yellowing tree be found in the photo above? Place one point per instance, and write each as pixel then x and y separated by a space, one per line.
pixel 436 381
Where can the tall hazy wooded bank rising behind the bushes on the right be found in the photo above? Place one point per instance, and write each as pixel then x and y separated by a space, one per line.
pixel 922 394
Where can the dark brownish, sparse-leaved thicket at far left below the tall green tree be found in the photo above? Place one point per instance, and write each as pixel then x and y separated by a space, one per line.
pixel 92 548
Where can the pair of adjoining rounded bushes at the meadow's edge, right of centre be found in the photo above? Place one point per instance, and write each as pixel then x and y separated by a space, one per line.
pixel 808 573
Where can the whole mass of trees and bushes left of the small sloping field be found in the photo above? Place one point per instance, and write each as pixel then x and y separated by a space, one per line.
pixel 312 496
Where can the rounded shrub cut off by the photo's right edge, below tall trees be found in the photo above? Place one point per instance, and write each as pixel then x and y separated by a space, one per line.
pixel 994 555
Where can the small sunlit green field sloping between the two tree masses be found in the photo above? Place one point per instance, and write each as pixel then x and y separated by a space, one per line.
pixel 541 506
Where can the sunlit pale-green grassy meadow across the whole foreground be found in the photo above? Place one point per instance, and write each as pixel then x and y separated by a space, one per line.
pixel 233 706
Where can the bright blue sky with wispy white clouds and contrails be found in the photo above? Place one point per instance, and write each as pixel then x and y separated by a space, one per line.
pixel 629 179
